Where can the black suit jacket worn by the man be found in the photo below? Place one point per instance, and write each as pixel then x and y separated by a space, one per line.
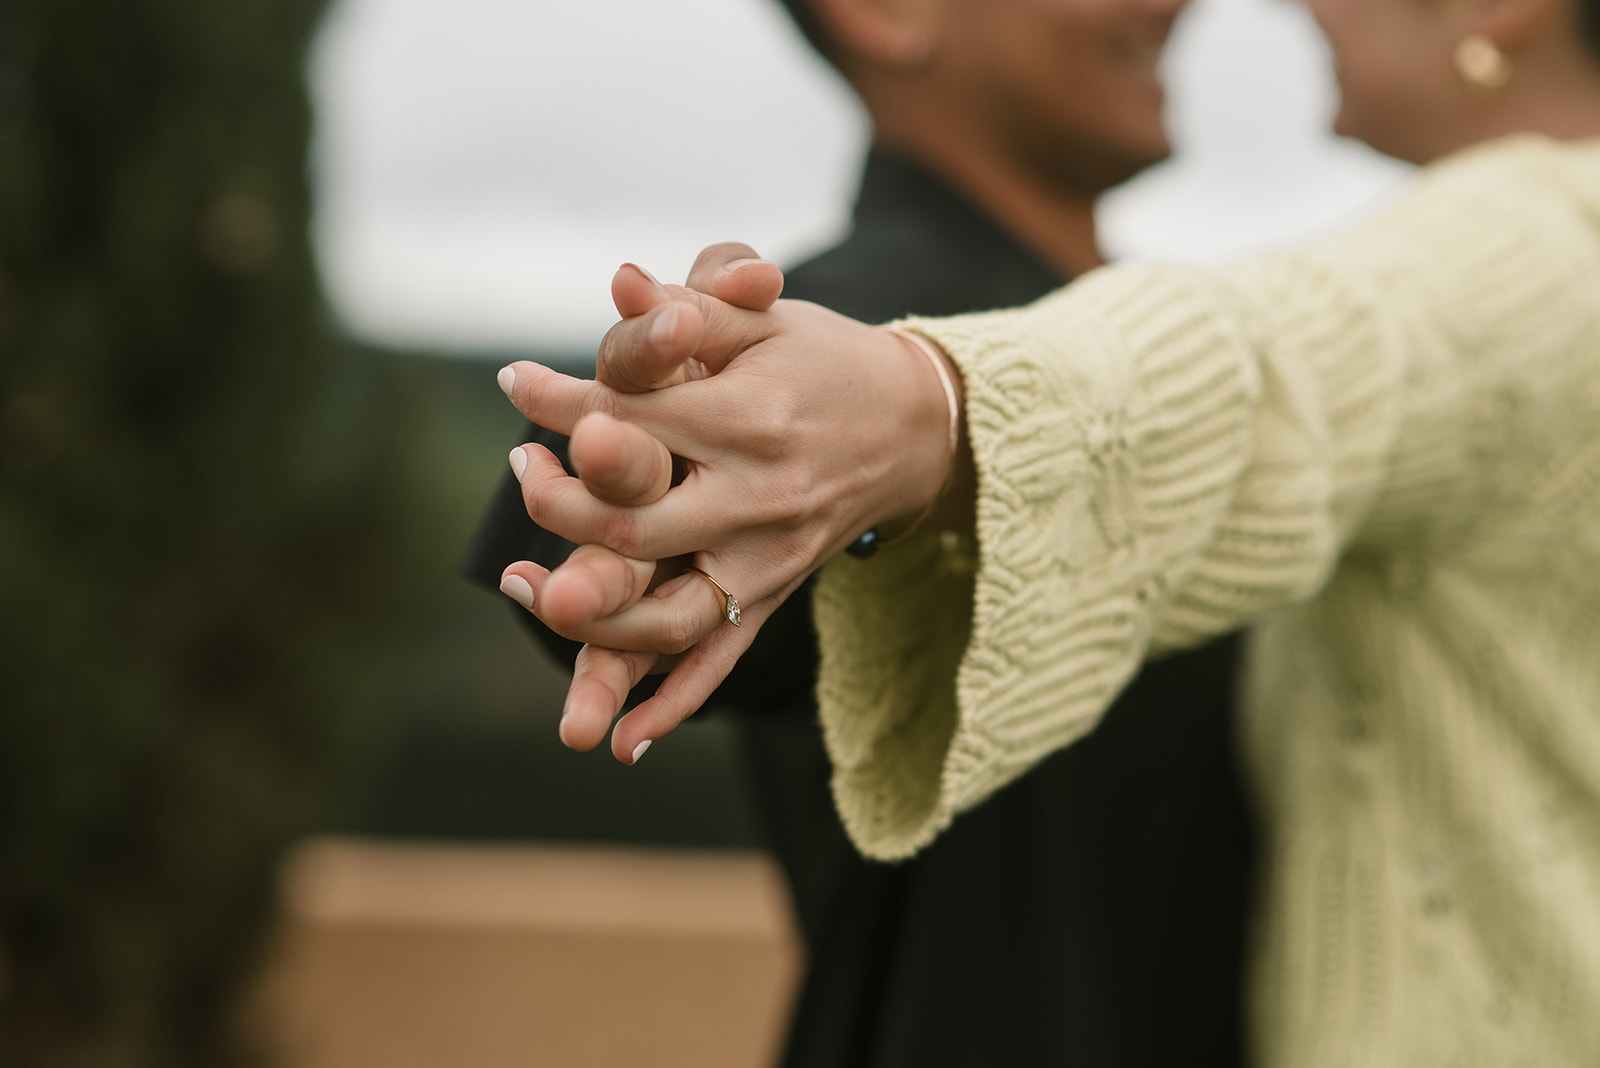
pixel 1094 912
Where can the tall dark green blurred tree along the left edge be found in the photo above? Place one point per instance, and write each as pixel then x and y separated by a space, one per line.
pixel 199 519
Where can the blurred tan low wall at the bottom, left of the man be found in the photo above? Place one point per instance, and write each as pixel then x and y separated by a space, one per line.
pixel 498 957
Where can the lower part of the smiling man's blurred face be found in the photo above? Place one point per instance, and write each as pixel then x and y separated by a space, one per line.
pixel 1070 87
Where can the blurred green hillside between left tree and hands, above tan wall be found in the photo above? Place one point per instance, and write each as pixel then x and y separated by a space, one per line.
pixel 466 744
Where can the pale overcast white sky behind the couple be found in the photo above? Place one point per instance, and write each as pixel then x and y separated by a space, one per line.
pixel 484 165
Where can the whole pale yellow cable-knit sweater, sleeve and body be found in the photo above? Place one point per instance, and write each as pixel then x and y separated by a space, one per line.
pixel 1380 453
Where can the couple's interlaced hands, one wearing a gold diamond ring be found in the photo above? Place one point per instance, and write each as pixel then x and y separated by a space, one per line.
pixel 802 431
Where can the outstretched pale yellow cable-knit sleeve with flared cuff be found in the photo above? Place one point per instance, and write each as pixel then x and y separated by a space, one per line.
pixel 1166 455
